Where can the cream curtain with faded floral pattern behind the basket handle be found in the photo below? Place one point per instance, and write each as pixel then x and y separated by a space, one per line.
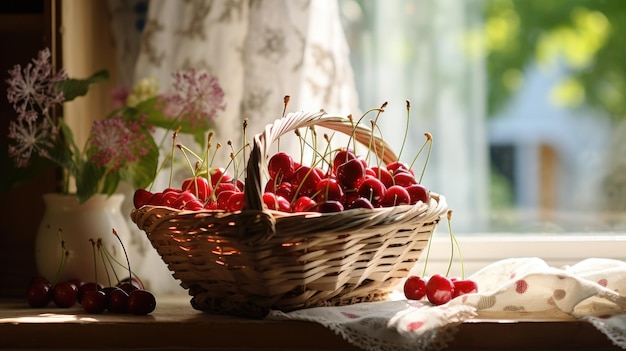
pixel 259 50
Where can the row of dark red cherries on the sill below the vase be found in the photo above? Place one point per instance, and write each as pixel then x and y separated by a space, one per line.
pixel 128 296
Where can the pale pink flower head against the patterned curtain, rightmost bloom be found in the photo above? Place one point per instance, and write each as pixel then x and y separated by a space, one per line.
pixel 198 98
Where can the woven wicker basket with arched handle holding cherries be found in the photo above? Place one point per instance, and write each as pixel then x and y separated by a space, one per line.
pixel 248 262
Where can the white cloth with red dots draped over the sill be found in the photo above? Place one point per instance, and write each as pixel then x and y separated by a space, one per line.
pixel 589 290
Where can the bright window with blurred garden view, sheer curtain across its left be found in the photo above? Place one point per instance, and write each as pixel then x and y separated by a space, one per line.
pixel 525 100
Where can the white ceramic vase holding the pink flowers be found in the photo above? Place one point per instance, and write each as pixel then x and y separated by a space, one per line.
pixel 78 223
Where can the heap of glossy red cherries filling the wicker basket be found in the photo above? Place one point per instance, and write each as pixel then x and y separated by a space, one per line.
pixel 292 187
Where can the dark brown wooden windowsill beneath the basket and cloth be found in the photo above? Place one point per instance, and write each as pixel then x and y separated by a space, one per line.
pixel 175 325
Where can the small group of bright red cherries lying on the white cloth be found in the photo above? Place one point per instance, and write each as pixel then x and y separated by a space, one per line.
pixel 438 289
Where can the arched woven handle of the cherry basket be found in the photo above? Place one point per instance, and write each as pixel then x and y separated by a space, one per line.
pixel 258 157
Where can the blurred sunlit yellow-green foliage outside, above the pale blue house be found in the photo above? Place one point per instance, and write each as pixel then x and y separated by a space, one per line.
pixel 586 35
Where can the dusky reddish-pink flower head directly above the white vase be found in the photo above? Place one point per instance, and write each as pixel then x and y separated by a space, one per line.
pixel 117 142
